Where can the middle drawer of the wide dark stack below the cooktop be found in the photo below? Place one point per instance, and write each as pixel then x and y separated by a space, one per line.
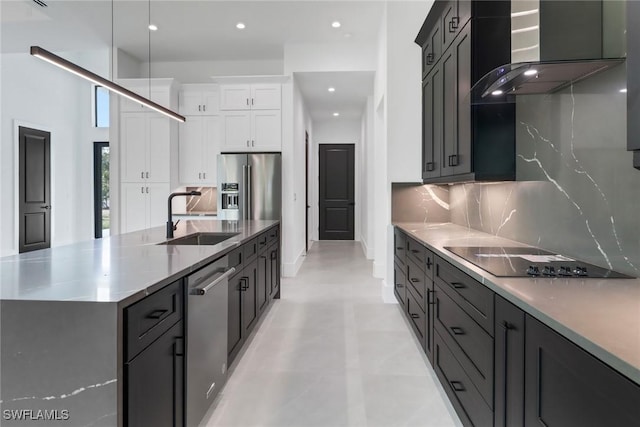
pixel 471 344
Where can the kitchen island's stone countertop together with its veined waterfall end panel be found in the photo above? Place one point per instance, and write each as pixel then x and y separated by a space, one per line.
pixel 61 318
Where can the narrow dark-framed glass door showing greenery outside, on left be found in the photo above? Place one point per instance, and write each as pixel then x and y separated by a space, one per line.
pixel 101 212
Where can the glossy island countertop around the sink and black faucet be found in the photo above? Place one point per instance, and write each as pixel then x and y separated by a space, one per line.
pixel 118 269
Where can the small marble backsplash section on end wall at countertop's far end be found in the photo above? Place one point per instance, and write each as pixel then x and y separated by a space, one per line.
pixel 419 203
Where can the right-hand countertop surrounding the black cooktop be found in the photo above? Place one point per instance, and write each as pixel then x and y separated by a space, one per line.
pixel 600 315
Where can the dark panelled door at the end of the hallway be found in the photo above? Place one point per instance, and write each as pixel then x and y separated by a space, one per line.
pixel 337 191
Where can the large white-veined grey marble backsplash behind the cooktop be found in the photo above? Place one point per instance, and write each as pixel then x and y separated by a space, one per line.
pixel 577 192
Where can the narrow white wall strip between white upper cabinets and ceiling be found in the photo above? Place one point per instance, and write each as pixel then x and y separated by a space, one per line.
pixel 202 71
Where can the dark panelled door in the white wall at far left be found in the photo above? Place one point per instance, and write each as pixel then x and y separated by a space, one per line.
pixel 34 189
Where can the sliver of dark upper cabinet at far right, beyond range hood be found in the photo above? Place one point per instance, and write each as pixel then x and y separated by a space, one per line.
pixel 633 80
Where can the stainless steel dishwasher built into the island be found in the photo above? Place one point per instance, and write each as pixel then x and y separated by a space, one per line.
pixel 206 327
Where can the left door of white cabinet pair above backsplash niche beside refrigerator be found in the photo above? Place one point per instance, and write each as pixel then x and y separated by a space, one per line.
pixel 190 150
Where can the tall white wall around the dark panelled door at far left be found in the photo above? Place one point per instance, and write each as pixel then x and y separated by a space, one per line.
pixel 35 93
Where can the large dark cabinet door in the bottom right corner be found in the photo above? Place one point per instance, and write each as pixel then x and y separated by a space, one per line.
pixel 565 386
